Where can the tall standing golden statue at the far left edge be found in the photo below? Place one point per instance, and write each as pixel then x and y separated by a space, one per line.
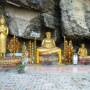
pixel 3 36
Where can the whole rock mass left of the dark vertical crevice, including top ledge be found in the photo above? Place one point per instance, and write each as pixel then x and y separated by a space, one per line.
pixel 31 18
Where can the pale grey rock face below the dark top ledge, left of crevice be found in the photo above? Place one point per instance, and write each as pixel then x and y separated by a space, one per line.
pixel 28 23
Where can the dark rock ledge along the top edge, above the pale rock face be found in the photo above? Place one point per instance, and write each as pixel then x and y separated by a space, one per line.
pixel 41 5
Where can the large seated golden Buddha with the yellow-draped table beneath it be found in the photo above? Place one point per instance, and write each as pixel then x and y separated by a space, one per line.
pixel 48 47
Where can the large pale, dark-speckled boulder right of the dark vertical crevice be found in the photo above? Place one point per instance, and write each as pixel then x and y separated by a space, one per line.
pixel 74 17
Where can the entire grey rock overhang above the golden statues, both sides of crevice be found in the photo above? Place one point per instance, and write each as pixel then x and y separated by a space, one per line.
pixel 30 18
